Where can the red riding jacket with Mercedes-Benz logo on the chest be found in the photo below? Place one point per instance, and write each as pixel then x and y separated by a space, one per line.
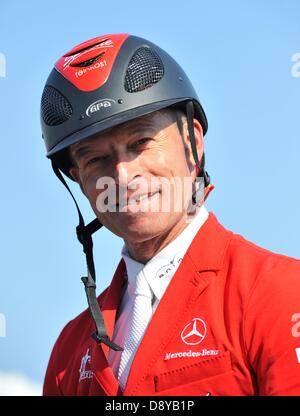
pixel 228 324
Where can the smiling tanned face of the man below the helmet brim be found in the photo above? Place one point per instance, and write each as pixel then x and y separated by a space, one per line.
pixel 146 161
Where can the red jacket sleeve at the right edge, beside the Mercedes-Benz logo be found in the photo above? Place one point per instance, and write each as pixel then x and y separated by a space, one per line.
pixel 272 329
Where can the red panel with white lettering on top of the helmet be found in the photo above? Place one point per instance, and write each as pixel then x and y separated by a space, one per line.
pixel 88 65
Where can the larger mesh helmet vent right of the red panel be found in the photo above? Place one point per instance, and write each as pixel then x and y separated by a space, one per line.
pixel 144 70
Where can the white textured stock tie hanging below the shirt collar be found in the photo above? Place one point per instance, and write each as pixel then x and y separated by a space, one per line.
pixel 141 315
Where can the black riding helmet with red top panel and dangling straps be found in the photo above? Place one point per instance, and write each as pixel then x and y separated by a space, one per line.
pixel 100 84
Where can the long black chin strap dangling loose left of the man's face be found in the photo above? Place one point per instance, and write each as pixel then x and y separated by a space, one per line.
pixel 84 235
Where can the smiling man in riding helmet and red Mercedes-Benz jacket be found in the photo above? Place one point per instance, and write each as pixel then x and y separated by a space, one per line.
pixel 193 309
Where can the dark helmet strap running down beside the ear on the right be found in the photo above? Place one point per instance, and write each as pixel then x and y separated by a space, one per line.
pixel 190 111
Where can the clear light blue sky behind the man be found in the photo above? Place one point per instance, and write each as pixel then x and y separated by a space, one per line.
pixel 238 55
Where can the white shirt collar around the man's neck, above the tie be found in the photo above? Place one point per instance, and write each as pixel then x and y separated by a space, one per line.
pixel 159 270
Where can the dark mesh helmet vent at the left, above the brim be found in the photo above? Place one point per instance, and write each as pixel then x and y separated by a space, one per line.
pixel 55 108
